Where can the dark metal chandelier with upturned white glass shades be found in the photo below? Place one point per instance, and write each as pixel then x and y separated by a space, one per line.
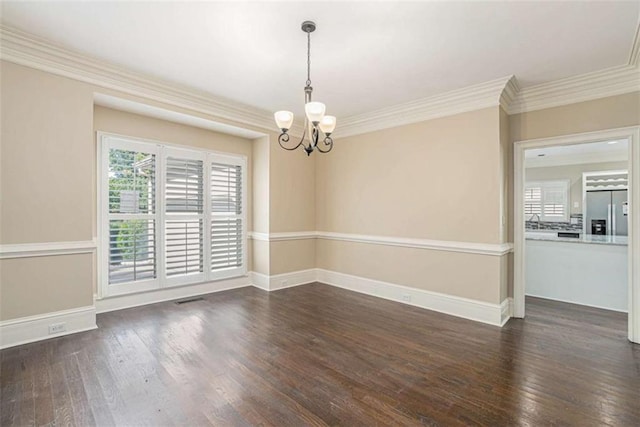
pixel 315 120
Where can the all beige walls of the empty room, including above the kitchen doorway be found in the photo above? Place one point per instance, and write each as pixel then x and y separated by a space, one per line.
pixel 443 179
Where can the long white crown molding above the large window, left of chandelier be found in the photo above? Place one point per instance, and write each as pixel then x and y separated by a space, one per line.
pixel 26 49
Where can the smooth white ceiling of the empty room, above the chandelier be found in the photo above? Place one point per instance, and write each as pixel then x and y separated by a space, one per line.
pixel 365 55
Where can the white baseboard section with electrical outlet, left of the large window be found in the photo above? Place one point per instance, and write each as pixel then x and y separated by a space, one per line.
pixel 25 330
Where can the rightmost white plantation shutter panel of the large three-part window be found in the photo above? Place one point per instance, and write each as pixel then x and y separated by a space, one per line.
pixel 227 244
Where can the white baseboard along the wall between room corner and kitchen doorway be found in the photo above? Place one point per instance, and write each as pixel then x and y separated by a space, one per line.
pixel 480 311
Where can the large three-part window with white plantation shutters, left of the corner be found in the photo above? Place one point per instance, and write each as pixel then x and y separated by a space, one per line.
pixel 169 216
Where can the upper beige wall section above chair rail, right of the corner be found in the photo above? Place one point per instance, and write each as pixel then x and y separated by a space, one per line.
pixel 438 179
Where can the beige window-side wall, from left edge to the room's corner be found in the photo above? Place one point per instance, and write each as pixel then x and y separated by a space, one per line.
pixel 48 184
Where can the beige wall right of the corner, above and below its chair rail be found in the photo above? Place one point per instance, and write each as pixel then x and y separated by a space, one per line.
pixel 438 180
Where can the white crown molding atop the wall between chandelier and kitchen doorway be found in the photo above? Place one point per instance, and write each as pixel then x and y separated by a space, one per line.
pixel 471 98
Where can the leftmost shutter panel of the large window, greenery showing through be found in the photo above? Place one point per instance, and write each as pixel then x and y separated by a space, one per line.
pixel 129 198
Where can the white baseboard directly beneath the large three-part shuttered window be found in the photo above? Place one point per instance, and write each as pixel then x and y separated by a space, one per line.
pixel 167 294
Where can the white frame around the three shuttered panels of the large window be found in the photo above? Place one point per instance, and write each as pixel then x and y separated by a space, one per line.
pixel 105 141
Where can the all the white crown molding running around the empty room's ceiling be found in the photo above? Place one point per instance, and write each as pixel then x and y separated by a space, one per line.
pixel 25 49
